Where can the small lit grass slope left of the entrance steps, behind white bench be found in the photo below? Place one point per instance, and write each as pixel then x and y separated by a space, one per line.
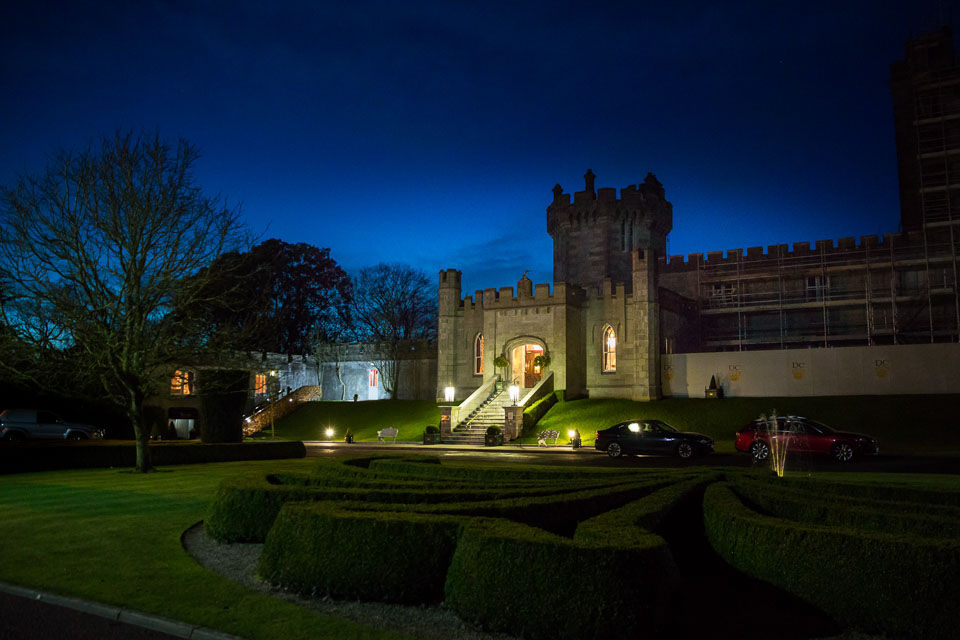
pixel 311 420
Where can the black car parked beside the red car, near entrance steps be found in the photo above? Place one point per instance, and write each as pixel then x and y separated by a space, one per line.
pixel 651 437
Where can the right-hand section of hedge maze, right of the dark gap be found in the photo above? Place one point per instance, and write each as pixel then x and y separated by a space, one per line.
pixel 884 559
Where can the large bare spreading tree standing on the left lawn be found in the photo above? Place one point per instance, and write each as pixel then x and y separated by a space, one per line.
pixel 93 252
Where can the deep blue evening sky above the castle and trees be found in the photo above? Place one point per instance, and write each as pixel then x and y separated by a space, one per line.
pixel 432 133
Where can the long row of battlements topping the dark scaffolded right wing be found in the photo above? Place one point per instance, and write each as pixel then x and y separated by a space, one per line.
pixel 872 247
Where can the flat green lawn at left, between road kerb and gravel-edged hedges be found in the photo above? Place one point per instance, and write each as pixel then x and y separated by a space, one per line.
pixel 113 536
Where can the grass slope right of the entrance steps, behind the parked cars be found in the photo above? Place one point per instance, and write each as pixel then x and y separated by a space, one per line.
pixel 904 424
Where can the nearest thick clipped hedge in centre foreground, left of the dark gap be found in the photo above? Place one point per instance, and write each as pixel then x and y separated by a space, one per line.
pixel 485 564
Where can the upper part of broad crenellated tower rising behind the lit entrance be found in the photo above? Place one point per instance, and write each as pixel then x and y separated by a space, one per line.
pixel 595 236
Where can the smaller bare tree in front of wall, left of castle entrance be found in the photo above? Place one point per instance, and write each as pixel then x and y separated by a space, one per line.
pixel 394 306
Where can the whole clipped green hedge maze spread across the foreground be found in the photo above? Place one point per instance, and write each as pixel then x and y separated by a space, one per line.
pixel 543 552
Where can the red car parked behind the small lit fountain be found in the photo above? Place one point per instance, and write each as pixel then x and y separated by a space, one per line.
pixel 803 435
